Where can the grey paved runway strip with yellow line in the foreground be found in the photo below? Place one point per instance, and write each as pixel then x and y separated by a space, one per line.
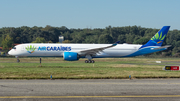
pixel 91 90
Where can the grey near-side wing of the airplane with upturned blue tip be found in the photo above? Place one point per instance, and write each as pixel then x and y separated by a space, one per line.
pixel 93 51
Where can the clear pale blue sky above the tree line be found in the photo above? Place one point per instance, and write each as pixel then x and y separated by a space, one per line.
pixel 90 13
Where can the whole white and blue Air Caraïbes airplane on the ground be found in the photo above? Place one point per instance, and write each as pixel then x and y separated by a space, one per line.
pixel 72 52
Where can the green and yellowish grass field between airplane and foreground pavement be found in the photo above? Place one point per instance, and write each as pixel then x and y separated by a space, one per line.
pixel 29 68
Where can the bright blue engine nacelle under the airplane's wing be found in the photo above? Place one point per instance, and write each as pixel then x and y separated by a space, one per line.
pixel 70 56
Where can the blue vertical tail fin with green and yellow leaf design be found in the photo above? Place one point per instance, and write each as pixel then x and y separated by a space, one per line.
pixel 158 38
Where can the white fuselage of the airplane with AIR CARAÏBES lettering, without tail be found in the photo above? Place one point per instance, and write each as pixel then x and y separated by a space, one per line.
pixel 57 50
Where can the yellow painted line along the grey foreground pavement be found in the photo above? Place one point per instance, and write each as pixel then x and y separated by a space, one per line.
pixel 128 96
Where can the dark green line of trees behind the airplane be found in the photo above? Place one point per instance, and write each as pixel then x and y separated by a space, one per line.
pixel 49 34
